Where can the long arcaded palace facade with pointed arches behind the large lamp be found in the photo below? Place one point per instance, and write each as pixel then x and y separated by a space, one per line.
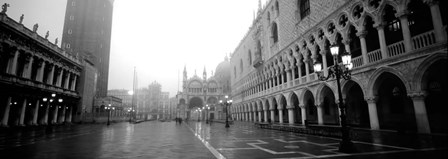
pixel 399 56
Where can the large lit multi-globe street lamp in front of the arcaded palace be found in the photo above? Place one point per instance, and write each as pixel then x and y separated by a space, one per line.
pixel 339 71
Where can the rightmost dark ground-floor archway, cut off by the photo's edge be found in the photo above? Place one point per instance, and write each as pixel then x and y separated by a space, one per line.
pixel 435 84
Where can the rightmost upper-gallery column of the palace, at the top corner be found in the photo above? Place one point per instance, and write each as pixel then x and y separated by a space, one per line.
pixel 437 21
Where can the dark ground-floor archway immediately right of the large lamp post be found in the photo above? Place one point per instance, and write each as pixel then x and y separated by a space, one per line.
pixel 357 108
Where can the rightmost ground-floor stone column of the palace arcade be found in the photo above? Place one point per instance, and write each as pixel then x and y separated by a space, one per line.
pixel 420 113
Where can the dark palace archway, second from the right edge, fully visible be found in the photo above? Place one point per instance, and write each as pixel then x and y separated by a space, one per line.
pixel 394 107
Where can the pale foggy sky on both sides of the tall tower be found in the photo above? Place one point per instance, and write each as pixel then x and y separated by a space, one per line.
pixel 158 37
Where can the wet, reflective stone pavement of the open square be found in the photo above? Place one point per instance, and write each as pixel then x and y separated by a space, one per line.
pixel 199 140
